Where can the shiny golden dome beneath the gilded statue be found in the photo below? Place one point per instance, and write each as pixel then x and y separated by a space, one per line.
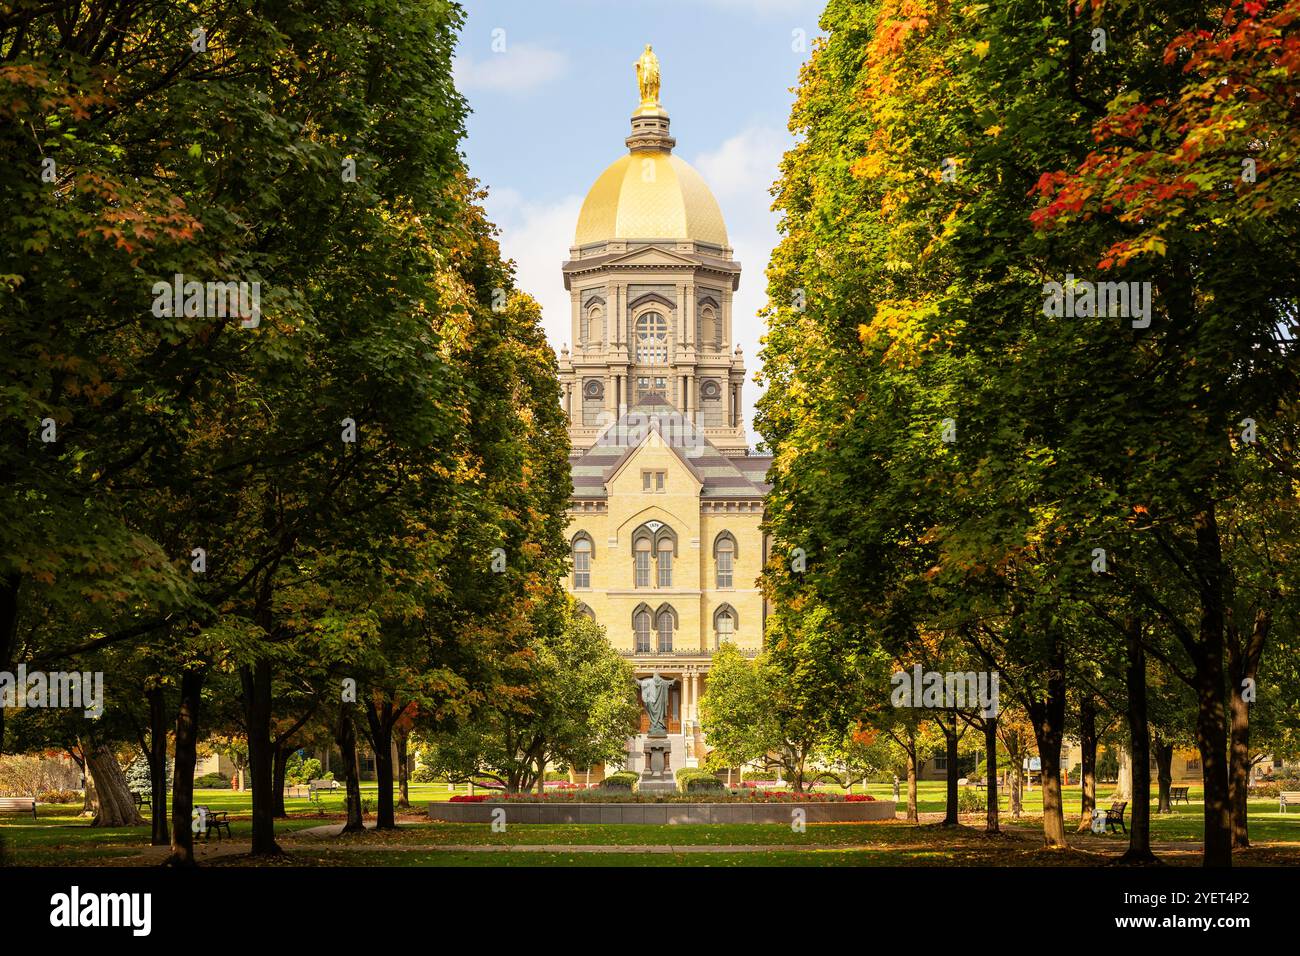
pixel 651 194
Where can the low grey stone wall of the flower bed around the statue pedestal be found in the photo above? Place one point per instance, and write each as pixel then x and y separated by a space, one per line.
pixel 521 812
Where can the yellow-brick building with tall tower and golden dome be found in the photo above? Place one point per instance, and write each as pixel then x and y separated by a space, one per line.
pixel 668 499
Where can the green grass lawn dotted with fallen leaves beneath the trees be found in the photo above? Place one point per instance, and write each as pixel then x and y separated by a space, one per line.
pixel 60 837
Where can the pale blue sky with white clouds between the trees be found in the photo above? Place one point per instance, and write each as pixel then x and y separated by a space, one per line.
pixel 552 89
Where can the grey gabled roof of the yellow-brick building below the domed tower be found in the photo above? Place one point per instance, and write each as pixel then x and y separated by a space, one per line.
pixel 721 477
